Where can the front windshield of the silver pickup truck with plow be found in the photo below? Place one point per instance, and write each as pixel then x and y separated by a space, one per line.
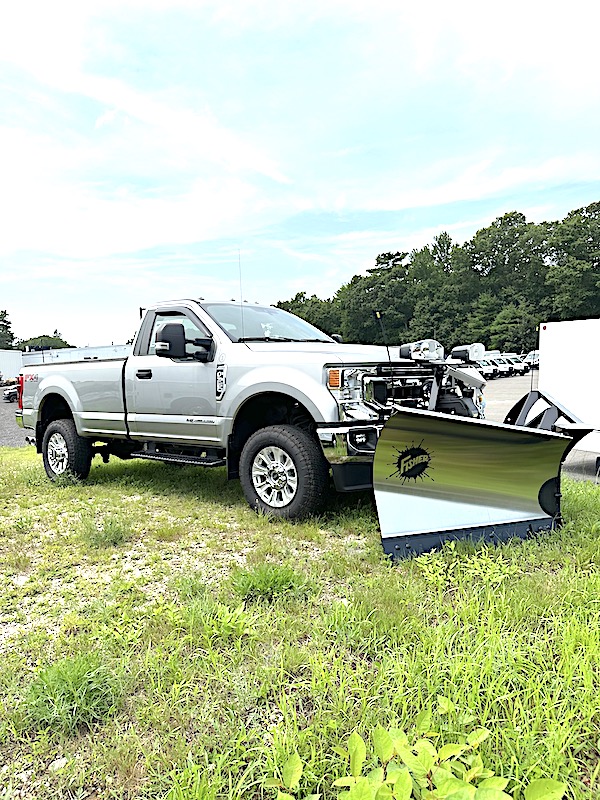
pixel 250 323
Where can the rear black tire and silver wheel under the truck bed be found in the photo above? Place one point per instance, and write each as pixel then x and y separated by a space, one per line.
pixel 65 453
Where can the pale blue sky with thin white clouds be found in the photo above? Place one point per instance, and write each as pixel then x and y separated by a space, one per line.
pixel 158 149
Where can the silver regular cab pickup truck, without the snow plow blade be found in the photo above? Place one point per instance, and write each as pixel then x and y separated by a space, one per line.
pixel 251 387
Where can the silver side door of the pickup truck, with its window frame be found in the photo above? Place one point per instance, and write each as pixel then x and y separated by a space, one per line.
pixel 171 399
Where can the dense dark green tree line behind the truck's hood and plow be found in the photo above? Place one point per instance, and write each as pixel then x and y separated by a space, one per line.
pixel 494 289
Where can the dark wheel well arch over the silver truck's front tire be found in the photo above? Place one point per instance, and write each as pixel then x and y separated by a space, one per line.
pixel 270 408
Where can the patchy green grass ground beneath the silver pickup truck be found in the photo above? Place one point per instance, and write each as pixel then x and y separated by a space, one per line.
pixel 160 640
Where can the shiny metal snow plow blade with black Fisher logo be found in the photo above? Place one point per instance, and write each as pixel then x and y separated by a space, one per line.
pixel 441 477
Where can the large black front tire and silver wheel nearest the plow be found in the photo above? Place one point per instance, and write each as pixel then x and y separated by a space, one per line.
pixel 284 473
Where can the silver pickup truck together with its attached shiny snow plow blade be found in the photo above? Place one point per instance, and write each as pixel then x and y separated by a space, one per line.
pixel 282 406
